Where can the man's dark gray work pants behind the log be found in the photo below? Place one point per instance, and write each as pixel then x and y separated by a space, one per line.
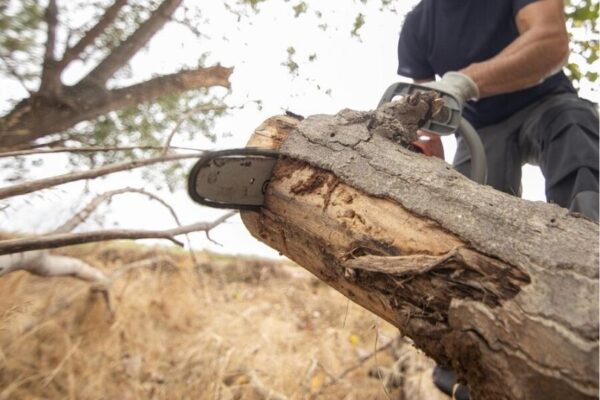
pixel 559 134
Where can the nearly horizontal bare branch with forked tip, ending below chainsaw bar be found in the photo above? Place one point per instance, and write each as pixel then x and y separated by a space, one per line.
pixel 68 239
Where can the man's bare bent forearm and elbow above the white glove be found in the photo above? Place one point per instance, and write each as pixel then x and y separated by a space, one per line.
pixel 540 51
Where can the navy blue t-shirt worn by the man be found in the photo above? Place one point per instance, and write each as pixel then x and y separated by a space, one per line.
pixel 448 35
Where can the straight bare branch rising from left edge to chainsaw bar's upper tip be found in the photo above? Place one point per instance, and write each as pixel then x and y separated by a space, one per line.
pixel 44 183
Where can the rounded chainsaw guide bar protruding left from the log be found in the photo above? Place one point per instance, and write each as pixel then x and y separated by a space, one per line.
pixel 235 178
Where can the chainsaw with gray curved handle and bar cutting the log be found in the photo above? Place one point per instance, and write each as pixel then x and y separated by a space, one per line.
pixel 238 178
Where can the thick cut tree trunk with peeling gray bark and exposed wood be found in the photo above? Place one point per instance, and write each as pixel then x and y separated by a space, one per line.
pixel 502 289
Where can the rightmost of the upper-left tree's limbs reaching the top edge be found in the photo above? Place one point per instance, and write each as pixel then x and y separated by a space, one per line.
pixel 128 48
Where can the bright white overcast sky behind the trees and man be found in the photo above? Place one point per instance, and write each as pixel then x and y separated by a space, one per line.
pixel 347 72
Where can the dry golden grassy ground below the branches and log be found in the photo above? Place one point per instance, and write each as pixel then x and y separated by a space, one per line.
pixel 223 328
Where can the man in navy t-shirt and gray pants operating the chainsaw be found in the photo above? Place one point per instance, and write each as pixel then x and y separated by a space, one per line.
pixel 503 59
